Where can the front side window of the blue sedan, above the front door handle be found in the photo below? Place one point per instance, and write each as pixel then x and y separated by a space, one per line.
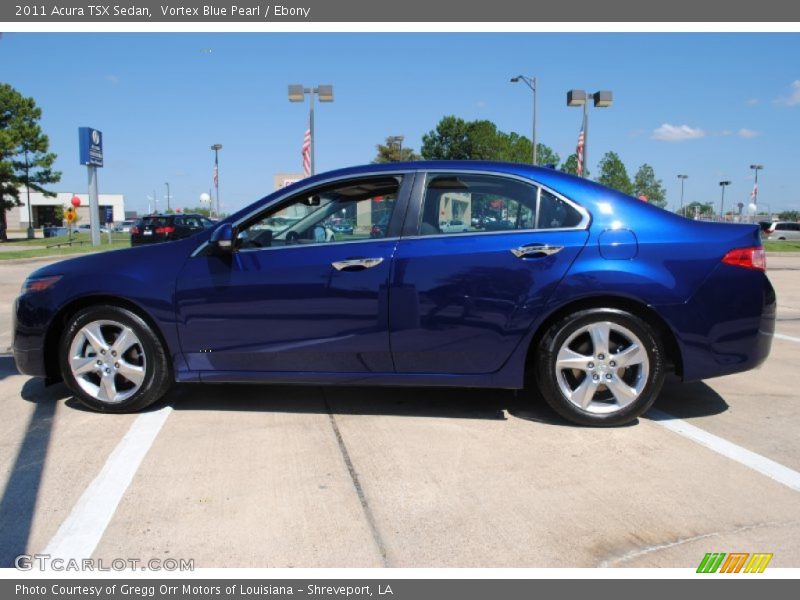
pixel 346 211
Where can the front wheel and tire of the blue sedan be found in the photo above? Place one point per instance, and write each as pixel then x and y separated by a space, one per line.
pixel 108 371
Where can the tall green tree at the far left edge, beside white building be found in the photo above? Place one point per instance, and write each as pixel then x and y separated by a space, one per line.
pixel 24 151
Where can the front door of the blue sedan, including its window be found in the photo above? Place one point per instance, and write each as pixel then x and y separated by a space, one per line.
pixel 288 300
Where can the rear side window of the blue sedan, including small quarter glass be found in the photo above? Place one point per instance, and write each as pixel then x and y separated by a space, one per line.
pixel 462 203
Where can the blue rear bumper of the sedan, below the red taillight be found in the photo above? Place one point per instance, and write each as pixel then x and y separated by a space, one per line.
pixel 727 326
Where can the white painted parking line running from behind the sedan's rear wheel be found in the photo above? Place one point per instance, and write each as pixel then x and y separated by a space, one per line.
pixel 762 464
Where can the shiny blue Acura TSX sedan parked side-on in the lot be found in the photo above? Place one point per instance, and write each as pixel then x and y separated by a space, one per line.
pixel 554 284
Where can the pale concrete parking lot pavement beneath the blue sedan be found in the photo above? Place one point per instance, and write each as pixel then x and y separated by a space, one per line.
pixel 273 476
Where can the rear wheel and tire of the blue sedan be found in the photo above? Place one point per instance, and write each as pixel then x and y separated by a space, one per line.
pixel 600 367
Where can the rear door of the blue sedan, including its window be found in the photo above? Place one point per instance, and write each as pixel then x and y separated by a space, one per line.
pixel 460 302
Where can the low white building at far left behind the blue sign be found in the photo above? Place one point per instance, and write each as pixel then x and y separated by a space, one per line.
pixel 43 209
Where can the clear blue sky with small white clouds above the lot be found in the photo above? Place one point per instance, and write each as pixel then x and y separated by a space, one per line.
pixel 707 105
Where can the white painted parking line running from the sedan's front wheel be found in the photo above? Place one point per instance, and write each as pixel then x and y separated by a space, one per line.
pixel 80 533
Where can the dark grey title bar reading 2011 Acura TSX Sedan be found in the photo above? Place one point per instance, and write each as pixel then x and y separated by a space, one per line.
pixel 419 11
